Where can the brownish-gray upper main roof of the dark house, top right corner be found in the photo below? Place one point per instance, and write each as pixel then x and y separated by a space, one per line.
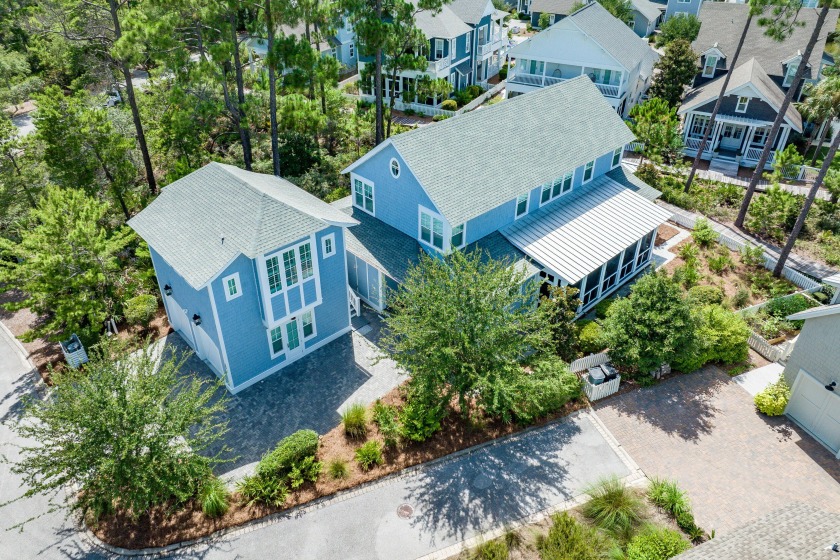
pixel 722 23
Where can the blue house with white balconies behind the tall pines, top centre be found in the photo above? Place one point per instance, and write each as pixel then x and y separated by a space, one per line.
pixel 464 46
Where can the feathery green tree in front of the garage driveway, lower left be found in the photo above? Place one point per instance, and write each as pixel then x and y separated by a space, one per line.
pixel 126 431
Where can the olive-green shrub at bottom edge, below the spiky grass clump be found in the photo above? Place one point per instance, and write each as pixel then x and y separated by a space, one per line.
pixel 567 539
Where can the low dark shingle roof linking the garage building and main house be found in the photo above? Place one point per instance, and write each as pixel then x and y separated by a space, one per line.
pixel 378 244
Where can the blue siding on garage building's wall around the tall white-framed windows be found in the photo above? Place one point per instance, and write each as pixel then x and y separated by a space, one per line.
pixel 244 331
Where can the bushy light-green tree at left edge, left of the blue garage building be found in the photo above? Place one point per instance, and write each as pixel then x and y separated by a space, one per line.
pixel 66 264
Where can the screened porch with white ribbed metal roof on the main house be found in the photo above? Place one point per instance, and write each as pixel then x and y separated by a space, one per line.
pixel 596 241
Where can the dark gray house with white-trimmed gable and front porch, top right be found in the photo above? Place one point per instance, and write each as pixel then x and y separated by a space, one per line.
pixel 758 85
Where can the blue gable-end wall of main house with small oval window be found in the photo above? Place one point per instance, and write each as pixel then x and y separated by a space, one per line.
pixel 396 201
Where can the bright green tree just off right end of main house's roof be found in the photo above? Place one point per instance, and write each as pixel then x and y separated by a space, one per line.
pixel 656 125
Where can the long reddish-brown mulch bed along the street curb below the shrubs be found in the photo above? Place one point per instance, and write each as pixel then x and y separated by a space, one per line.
pixel 161 529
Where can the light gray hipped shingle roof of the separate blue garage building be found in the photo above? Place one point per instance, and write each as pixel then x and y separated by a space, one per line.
pixel 201 222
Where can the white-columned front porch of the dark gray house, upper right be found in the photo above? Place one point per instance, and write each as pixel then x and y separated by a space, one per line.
pixel 735 139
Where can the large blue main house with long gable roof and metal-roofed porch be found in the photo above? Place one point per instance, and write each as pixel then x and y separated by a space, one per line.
pixel 558 204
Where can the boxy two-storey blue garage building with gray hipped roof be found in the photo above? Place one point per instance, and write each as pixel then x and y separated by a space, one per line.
pixel 251 269
